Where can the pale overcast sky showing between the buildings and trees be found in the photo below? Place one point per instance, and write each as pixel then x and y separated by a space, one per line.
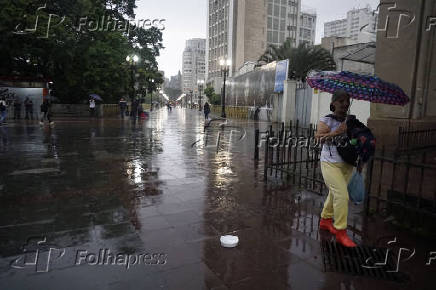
pixel 186 19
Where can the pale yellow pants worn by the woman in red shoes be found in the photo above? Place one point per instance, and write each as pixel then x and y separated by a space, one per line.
pixel 336 177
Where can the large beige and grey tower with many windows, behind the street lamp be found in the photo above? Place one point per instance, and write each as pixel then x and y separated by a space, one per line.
pixel 241 30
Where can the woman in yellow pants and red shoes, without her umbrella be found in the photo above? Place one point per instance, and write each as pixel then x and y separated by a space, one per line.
pixel 336 172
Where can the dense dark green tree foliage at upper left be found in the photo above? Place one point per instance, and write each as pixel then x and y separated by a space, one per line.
pixel 78 61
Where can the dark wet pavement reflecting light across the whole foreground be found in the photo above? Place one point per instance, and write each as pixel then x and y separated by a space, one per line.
pixel 111 204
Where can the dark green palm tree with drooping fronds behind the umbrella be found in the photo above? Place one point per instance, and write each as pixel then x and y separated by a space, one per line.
pixel 302 59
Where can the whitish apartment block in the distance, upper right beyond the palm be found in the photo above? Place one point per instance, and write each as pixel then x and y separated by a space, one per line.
pixel 360 25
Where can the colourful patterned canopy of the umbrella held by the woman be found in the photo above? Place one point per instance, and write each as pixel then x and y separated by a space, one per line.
pixel 360 87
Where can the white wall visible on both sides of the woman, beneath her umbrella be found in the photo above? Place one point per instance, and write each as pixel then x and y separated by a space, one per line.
pixel 321 107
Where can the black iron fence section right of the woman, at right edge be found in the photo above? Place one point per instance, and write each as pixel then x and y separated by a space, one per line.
pixel 403 186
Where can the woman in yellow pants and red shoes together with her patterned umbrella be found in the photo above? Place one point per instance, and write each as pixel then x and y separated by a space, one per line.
pixel 336 172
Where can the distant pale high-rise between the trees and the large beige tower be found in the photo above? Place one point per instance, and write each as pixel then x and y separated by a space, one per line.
pixel 194 64
